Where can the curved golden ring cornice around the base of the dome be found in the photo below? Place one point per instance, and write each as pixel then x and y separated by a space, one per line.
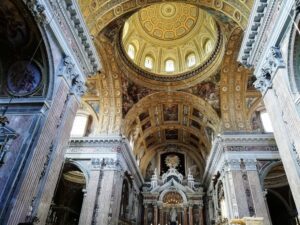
pixel 177 81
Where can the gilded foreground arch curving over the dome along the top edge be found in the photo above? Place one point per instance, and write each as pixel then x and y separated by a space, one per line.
pixel 99 15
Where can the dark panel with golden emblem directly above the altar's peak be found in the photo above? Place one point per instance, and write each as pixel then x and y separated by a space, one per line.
pixel 172 160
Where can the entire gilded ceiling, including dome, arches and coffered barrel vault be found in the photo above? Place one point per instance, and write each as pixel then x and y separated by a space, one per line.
pixel 186 108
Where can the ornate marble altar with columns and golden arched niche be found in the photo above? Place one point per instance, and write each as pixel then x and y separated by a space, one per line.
pixel 173 200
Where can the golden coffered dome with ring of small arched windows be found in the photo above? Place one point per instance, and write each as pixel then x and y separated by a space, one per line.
pixel 171 43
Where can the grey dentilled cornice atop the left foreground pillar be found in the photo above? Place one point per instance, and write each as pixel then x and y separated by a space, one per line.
pixel 66 19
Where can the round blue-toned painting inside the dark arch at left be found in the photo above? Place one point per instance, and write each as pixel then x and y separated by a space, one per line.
pixel 23 78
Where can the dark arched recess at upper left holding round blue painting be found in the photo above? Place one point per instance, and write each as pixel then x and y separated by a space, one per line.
pixel 20 51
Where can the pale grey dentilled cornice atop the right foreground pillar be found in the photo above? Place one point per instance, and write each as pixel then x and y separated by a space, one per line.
pixel 267 25
